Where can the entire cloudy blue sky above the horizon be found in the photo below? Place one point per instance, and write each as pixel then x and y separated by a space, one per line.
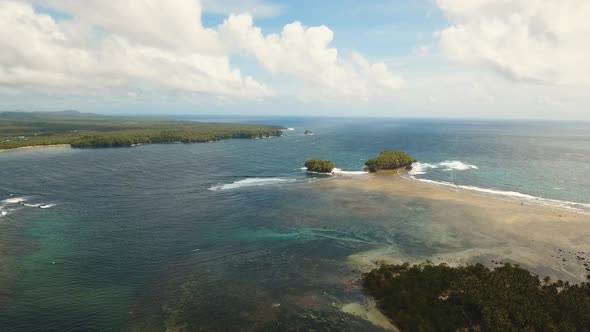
pixel 513 59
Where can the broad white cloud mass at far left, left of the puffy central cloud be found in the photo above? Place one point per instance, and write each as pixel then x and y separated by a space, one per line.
pixel 38 51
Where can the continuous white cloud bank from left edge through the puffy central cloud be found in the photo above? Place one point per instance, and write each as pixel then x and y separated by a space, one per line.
pixel 164 45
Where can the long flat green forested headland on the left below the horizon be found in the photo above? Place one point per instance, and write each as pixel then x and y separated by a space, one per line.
pixel 19 129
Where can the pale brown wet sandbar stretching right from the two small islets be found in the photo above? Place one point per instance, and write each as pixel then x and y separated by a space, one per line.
pixel 478 227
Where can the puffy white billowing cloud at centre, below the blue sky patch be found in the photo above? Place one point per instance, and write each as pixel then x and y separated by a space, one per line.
pixel 305 53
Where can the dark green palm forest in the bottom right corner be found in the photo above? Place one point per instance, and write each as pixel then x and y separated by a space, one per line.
pixel 430 297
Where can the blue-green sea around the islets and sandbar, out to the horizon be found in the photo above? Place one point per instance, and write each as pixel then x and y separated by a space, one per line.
pixel 237 222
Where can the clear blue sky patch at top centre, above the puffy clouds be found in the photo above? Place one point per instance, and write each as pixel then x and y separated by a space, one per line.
pixel 378 28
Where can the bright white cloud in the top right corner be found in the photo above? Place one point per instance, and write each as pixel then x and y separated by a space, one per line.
pixel 537 40
